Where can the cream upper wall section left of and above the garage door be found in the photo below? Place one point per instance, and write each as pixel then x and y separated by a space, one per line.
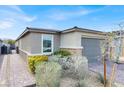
pixel 73 39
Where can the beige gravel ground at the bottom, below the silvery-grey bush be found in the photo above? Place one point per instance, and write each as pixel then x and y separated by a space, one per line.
pixel 90 81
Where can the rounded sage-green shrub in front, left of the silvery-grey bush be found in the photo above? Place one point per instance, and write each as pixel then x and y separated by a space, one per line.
pixel 48 74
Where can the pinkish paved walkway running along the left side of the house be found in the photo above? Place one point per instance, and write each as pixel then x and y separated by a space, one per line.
pixel 14 72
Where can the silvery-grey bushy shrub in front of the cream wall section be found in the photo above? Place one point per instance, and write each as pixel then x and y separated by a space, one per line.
pixel 75 66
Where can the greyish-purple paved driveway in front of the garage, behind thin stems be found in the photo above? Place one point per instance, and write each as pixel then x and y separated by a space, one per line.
pixel 98 67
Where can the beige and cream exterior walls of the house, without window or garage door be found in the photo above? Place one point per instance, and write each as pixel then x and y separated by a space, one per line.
pixel 32 42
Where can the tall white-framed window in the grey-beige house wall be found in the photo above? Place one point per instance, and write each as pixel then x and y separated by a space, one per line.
pixel 47 44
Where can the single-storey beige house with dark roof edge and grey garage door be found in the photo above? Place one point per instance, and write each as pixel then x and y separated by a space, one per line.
pixel 79 41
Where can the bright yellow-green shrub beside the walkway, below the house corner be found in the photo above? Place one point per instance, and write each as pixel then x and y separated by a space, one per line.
pixel 32 60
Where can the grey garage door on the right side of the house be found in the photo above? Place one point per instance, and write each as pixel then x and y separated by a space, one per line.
pixel 91 49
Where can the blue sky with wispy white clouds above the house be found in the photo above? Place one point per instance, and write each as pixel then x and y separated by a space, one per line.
pixel 14 19
